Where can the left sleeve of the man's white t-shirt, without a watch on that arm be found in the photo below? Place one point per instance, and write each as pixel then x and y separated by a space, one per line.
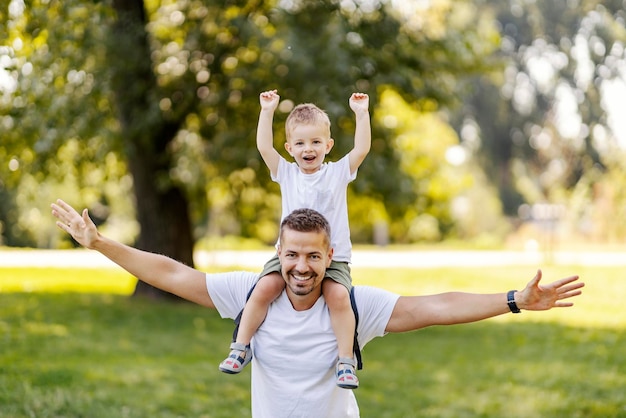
pixel 228 291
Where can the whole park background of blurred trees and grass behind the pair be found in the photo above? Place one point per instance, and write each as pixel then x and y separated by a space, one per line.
pixel 498 134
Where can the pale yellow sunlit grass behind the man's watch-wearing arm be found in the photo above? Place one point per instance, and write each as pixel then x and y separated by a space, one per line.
pixel 602 302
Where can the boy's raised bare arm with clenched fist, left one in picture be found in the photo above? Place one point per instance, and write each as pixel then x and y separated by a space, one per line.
pixel 264 134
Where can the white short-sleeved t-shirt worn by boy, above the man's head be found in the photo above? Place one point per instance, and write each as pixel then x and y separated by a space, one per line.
pixel 325 191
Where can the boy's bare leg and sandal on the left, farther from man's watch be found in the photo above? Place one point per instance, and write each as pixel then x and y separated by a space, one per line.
pixel 266 290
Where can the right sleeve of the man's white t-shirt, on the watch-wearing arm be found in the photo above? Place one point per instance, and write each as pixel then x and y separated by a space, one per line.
pixel 375 307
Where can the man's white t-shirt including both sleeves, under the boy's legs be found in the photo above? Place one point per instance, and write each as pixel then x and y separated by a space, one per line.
pixel 295 351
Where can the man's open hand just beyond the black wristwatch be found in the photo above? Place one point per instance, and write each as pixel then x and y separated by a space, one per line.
pixel 535 297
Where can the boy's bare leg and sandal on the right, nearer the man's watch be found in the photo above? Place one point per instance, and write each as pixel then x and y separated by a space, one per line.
pixel 343 322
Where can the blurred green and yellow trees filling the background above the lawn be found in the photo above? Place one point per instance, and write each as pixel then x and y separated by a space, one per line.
pixel 145 112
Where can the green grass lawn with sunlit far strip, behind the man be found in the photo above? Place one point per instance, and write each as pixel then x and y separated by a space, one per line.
pixel 78 346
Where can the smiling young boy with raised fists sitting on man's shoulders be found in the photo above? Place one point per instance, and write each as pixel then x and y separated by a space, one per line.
pixel 309 183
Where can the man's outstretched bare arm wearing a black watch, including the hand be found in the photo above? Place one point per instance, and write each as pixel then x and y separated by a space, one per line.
pixel 415 312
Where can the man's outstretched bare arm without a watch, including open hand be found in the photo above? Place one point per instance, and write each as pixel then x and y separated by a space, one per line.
pixel 156 270
